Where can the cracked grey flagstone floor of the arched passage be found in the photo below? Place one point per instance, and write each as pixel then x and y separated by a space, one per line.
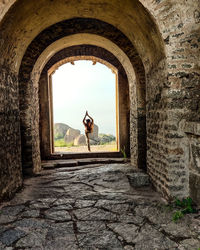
pixel 92 207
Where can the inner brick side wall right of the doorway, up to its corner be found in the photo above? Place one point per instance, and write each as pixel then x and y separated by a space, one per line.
pixel 158 158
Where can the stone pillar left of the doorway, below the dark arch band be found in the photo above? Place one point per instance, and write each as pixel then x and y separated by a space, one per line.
pixel 29 124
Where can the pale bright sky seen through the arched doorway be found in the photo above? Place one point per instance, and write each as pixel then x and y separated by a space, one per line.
pixel 81 87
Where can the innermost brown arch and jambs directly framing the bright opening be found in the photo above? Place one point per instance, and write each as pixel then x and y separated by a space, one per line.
pixel 76 53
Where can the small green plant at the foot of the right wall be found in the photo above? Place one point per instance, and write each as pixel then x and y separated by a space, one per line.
pixel 186 206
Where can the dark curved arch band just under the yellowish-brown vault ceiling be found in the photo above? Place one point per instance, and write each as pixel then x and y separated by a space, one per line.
pixel 71 27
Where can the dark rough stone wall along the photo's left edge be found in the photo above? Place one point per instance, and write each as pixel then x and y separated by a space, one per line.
pixel 10 141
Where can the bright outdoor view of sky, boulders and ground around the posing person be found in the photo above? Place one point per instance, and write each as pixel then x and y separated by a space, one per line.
pixel 79 88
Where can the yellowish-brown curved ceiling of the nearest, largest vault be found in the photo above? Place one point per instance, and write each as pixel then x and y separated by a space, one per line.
pixel 26 19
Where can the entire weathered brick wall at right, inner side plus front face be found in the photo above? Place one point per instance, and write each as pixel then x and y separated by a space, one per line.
pixel 174 100
